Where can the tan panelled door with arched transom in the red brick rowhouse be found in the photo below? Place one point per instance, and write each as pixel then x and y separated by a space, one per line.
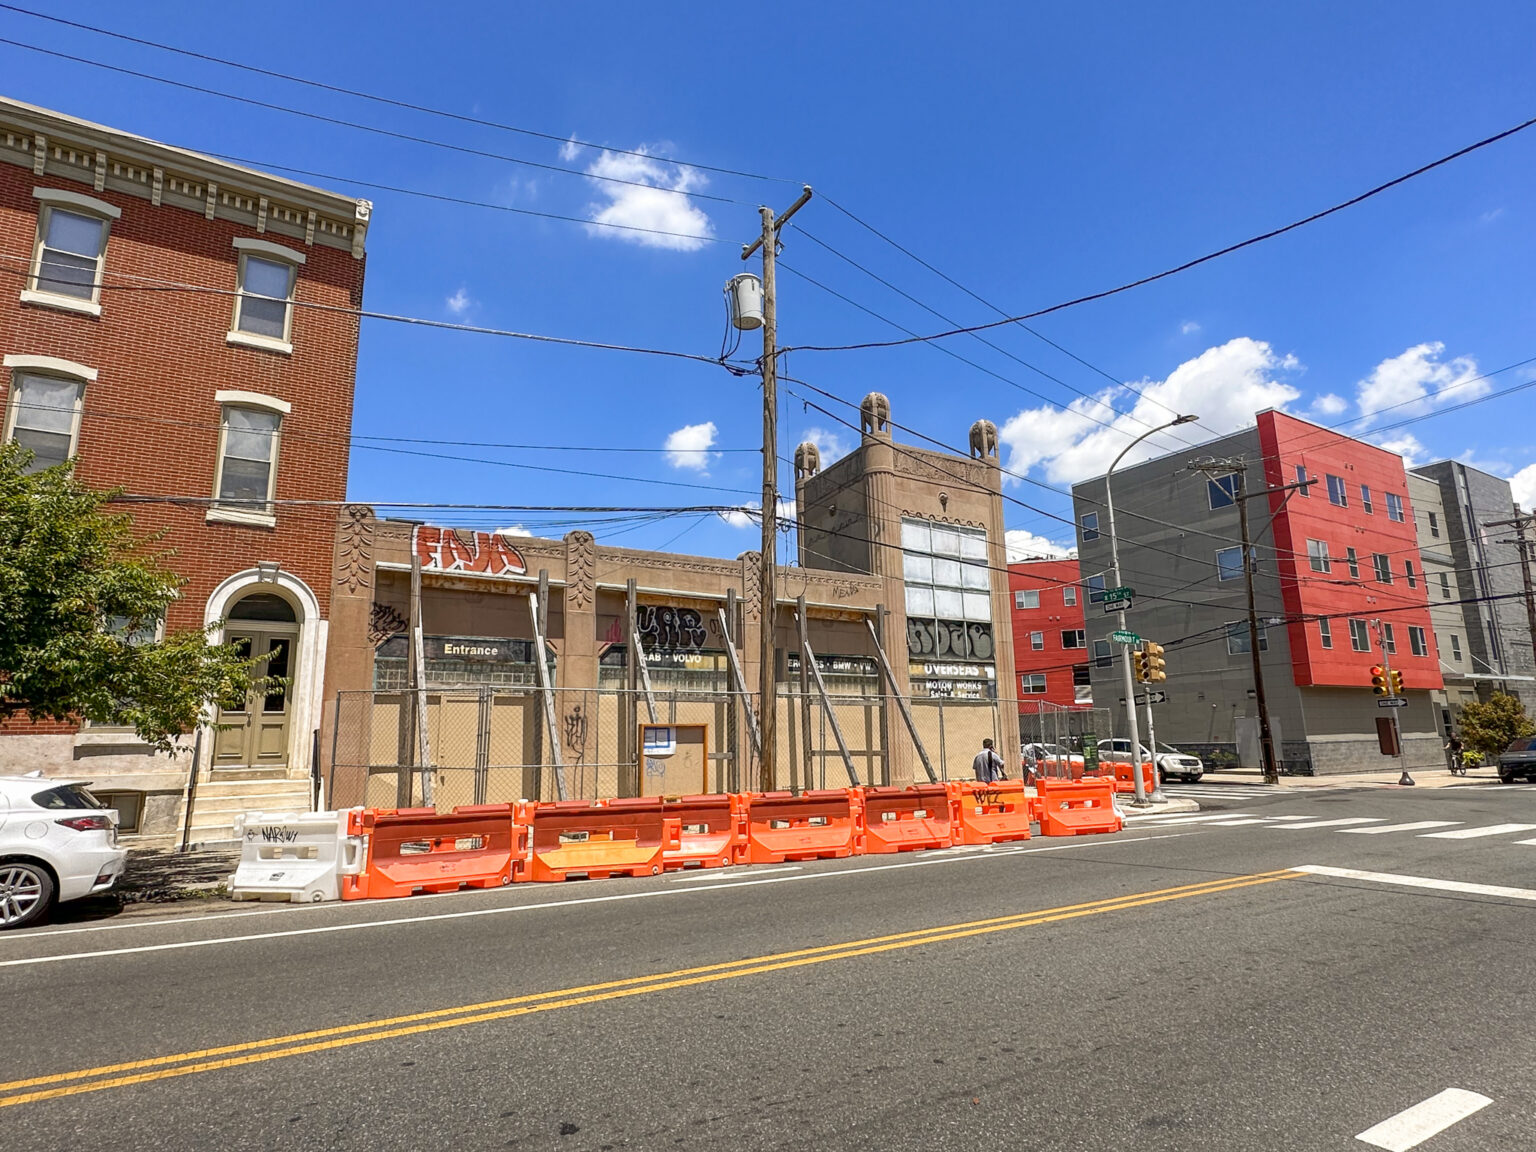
pixel 254 730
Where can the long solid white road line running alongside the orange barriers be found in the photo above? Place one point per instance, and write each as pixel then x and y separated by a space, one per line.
pixel 503 910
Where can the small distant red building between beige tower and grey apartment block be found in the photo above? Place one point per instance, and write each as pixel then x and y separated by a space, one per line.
pixel 1051 647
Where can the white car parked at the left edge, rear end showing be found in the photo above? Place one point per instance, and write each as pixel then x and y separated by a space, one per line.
pixel 58 842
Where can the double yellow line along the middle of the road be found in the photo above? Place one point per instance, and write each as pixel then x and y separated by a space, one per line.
pixel 345 1036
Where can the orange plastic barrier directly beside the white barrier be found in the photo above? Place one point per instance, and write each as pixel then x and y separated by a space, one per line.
pixel 417 850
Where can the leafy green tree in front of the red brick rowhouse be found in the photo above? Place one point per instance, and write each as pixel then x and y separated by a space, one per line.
pixel 81 606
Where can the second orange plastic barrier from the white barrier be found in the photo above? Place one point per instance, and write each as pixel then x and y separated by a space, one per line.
pixel 589 839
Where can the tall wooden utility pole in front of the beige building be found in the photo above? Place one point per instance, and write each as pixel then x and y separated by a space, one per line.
pixel 767 686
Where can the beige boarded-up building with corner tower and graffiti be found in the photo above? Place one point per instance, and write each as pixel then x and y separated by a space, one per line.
pixel 892 638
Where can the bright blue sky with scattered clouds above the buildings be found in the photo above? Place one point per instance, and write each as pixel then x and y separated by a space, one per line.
pixel 1031 153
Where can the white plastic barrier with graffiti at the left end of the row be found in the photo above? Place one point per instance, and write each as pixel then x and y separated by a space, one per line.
pixel 294 856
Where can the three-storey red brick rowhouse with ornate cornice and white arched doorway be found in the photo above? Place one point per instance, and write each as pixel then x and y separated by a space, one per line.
pixel 164 320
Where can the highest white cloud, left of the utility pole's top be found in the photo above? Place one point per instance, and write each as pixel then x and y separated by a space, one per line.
pixel 647 204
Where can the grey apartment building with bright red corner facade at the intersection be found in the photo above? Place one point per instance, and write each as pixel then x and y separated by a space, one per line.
pixel 1339 588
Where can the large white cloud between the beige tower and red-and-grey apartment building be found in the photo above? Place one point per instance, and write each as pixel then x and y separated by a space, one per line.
pixel 1225 386
